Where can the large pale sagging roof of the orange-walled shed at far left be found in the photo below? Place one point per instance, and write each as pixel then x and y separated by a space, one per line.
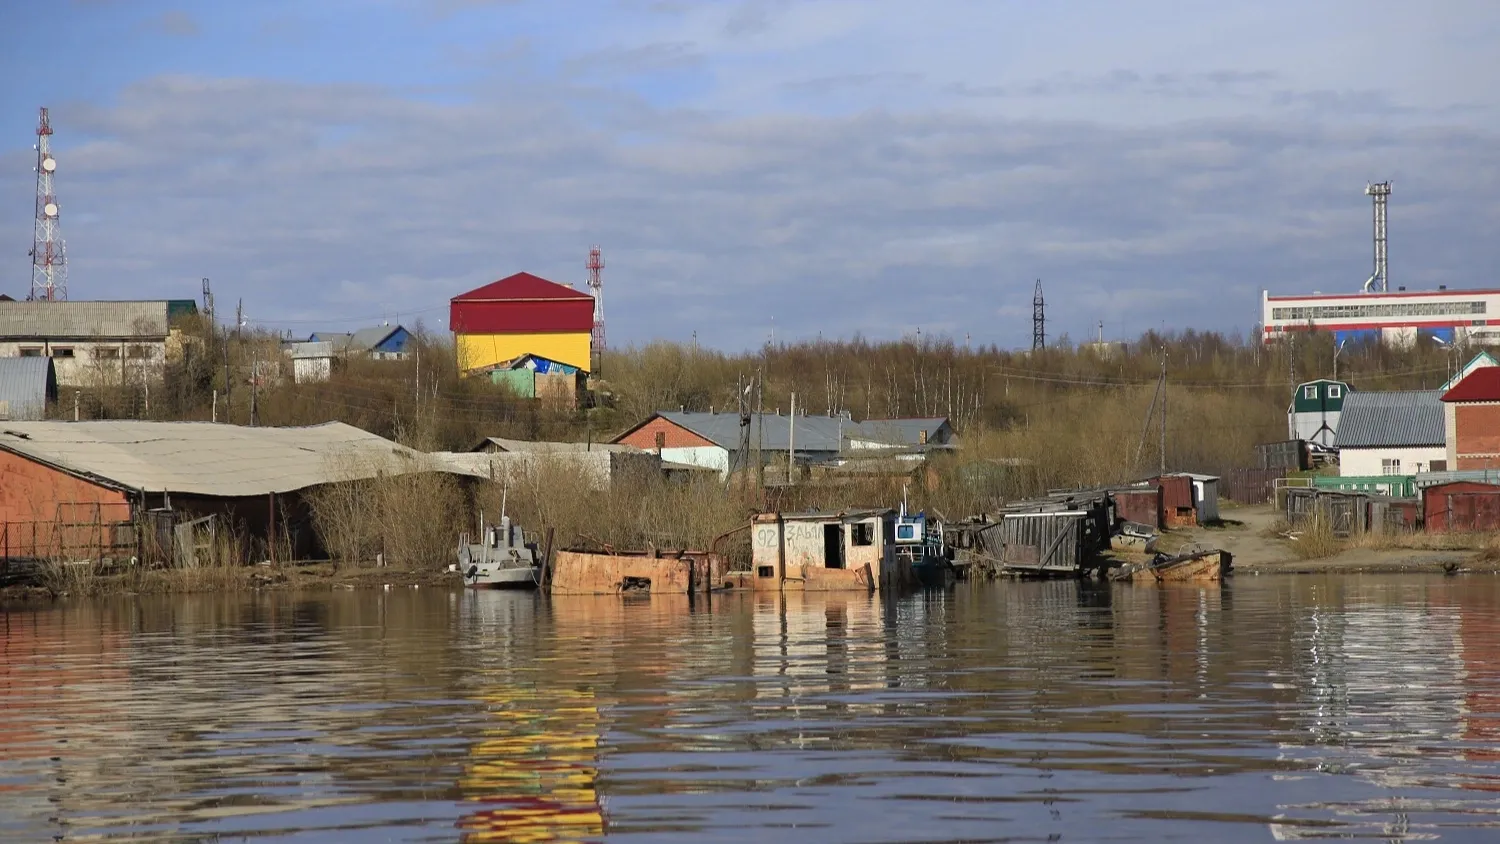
pixel 211 459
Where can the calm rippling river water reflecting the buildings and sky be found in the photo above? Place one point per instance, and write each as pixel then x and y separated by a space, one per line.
pixel 1282 708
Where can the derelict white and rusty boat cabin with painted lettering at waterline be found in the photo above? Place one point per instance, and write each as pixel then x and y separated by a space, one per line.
pixel 853 549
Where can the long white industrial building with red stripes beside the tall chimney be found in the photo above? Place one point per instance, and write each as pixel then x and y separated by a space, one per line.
pixel 1397 319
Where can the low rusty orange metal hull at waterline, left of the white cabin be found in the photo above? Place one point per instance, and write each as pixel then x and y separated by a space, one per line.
pixel 587 573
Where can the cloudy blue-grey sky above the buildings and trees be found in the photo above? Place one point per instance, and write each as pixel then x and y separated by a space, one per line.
pixel 797 167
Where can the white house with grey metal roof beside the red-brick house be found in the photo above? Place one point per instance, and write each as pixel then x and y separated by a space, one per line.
pixel 1391 434
